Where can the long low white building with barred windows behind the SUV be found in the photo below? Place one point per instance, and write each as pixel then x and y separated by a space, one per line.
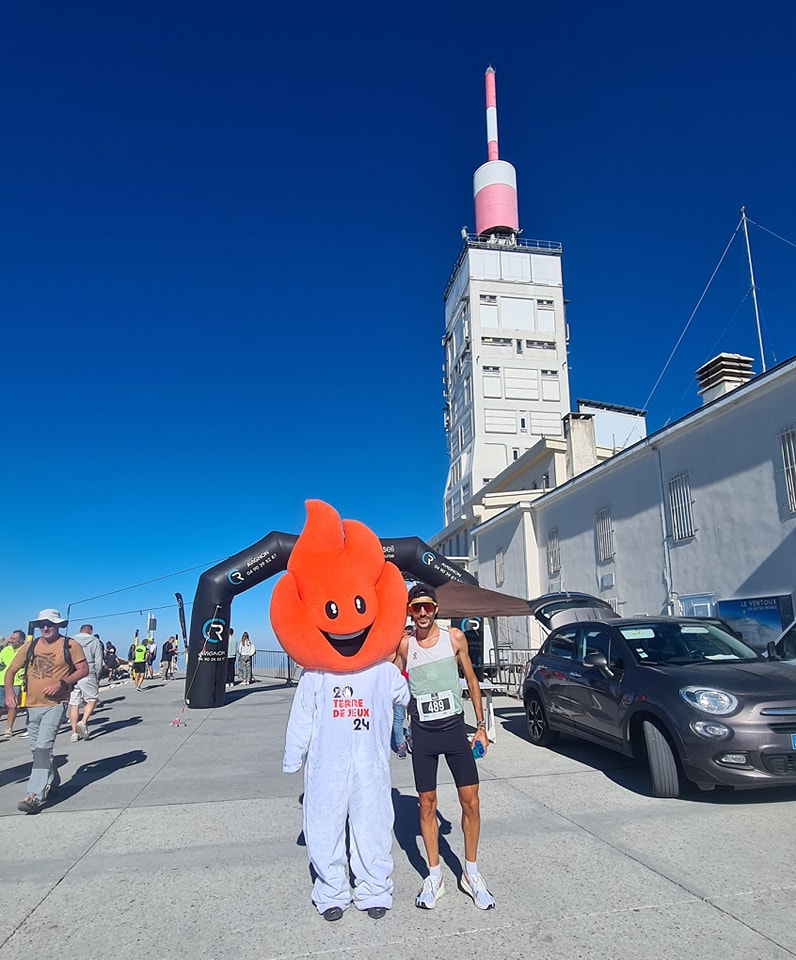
pixel 698 515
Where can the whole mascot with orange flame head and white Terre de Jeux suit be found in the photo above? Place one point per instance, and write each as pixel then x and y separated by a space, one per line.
pixel 339 611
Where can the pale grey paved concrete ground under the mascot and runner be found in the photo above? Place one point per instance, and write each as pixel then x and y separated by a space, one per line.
pixel 183 841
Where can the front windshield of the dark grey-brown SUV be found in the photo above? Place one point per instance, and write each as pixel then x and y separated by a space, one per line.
pixel 683 642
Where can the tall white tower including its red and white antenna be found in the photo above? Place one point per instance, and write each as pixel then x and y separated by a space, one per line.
pixel 506 382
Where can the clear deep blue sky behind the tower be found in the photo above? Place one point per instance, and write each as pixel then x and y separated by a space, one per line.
pixel 225 230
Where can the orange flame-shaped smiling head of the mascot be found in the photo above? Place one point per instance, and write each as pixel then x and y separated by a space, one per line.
pixel 340 606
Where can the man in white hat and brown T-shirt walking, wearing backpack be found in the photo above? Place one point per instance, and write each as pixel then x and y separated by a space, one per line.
pixel 53 664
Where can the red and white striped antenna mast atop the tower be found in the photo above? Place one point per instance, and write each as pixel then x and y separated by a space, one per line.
pixel 495 182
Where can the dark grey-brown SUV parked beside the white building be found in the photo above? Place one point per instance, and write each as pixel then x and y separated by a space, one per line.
pixel 694 701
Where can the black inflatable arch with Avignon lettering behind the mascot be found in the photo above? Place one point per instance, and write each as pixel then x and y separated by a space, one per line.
pixel 205 681
